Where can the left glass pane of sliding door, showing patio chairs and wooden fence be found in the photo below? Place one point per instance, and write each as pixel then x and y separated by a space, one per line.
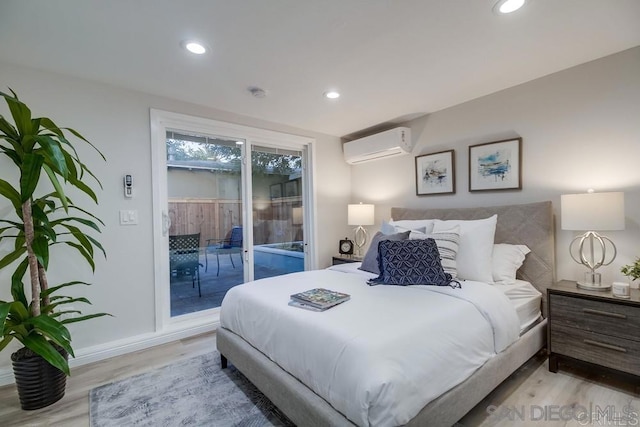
pixel 205 204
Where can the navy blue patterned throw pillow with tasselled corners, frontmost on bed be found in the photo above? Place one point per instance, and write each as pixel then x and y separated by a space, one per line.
pixel 411 262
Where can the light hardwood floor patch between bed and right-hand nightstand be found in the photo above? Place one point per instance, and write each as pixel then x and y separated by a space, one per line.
pixel 533 396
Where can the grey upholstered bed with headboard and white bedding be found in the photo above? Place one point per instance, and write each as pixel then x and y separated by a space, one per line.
pixel 297 391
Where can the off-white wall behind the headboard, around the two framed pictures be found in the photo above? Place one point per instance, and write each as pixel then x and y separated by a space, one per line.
pixel 580 130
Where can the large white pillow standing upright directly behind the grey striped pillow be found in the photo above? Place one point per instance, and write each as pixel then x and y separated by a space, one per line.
pixel 475 254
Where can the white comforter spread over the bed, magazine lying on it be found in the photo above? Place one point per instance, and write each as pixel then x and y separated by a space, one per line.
pixel 381 356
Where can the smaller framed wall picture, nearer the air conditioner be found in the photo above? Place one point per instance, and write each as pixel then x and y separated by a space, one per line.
pixel 435 173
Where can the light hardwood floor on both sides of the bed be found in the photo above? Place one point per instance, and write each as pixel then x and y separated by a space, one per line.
pixel 528 398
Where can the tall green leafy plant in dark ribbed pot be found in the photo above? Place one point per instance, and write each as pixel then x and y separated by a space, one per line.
pixel 41 217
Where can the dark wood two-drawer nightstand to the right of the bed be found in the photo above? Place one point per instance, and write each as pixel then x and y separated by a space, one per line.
pixel 594 327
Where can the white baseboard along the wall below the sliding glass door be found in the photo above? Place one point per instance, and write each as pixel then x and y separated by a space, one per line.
pixel 128 345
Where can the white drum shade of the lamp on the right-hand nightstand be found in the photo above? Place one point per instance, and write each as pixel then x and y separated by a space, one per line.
pixel 592 211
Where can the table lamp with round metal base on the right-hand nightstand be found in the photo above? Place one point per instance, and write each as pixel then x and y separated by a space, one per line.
pixel 592 212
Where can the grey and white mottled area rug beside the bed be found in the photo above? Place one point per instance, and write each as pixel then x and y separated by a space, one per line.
pixel 193 392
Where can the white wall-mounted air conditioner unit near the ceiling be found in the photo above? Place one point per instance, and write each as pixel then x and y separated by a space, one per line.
pixel 390 143
